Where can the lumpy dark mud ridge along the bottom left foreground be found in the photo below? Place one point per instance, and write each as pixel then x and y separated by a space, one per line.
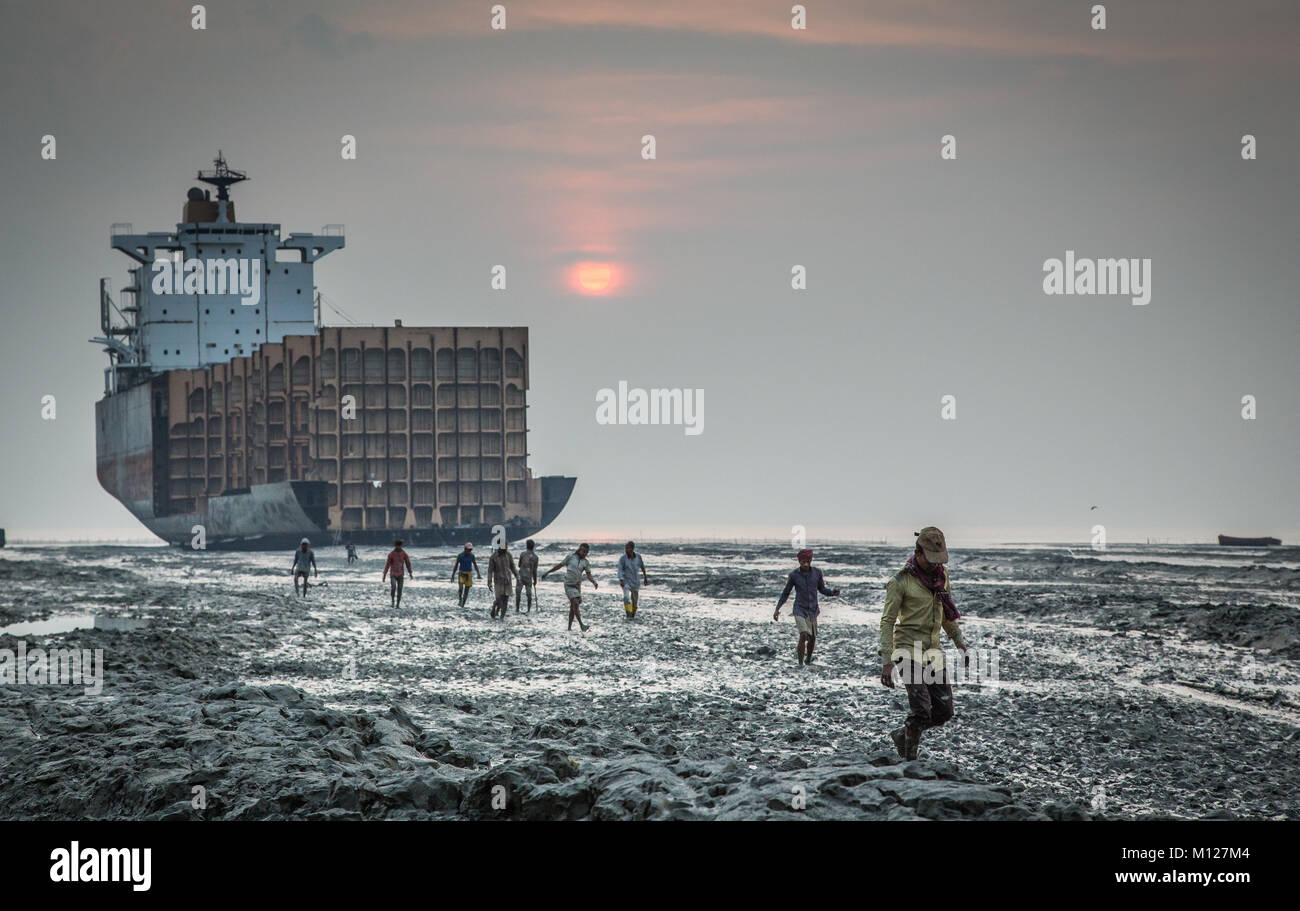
pixel 278 753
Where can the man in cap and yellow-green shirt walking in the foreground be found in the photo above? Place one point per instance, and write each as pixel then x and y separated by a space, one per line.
pixel 918 606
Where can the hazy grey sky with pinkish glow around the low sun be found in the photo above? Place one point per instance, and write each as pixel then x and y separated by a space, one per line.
pixel 774 148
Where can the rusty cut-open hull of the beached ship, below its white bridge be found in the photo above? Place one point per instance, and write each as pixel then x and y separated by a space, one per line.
pixel 349 435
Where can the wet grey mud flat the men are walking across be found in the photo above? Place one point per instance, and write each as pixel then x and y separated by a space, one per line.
pixel 341 708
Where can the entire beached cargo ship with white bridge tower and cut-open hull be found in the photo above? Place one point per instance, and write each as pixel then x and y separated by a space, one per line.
pixel 233 420
